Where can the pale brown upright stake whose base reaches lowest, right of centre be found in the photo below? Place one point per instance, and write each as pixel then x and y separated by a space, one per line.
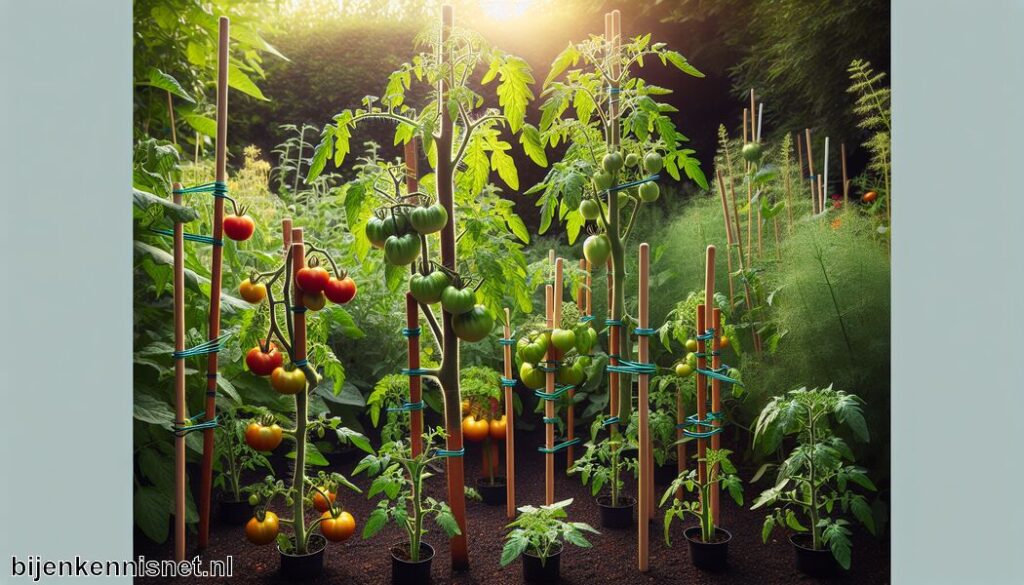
pixel 646 489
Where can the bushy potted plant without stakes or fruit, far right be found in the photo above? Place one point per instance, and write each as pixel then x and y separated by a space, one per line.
pixel 818 478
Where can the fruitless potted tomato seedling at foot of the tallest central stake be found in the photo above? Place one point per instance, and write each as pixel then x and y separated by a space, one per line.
pixel 399 477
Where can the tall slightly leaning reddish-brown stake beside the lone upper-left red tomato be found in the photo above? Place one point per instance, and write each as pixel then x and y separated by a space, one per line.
pixel 216 278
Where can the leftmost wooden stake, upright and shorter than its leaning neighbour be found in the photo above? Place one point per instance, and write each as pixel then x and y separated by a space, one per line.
pixel 181 399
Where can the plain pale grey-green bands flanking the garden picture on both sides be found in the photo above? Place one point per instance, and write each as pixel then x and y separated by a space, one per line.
pixel 958 375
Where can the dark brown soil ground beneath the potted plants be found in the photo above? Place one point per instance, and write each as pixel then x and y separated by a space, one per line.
pixel 613 560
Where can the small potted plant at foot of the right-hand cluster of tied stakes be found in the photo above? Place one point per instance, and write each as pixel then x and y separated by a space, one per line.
pixel 709 544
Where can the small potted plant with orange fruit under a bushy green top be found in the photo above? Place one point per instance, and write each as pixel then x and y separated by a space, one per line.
pixel 484 423
